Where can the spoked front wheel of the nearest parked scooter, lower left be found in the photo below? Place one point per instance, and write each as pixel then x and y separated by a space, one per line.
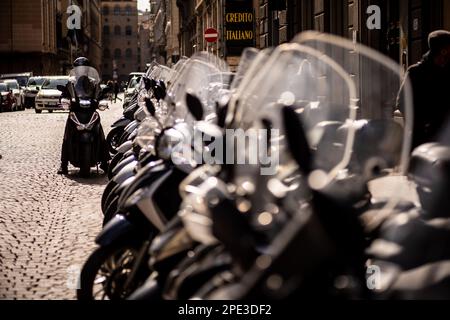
pixel 105 273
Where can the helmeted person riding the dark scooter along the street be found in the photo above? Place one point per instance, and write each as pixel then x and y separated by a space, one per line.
pixel 67 151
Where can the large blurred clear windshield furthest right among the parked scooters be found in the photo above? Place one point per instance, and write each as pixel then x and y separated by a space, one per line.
pixel 372 142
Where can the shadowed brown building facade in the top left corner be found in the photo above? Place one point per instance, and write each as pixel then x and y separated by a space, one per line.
pixel 35 37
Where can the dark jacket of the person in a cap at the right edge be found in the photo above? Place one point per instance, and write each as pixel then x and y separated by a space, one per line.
pixel 431 97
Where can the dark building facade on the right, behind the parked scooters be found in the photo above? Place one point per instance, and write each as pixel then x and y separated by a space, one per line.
pixel 405 24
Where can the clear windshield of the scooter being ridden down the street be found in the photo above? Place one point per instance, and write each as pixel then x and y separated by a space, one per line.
pixel 85 81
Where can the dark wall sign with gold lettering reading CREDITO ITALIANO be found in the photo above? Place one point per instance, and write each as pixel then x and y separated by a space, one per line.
pixel 239 26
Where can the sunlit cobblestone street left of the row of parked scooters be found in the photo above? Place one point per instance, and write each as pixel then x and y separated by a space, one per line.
pixel 47 222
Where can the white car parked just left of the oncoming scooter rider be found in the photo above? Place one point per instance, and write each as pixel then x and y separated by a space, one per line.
pixel 49 96
